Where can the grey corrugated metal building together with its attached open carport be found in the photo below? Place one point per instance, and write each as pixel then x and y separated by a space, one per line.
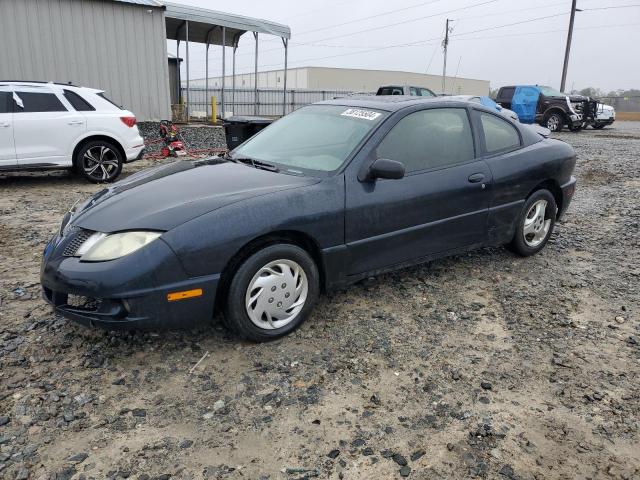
pixel 119 46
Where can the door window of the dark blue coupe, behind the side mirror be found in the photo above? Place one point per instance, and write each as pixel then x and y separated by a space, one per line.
pixel 428 139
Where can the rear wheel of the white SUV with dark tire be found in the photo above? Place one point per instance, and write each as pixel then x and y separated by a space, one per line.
pixel 99 161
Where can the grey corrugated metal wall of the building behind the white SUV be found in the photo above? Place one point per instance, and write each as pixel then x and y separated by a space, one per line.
pixel 117 46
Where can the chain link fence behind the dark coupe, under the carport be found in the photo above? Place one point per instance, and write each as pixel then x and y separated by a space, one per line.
pixel 244 102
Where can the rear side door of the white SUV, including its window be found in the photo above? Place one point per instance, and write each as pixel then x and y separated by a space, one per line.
pixel 46 128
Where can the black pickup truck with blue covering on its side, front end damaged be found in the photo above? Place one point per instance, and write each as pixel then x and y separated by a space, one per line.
pixel 548 107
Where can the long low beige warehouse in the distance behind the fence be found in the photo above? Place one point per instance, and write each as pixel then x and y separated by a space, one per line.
pixel 352 79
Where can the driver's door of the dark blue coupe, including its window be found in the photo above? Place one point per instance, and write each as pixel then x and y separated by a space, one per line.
pixel 440 205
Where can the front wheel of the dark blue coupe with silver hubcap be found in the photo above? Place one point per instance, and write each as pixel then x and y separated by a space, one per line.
pixel 287 275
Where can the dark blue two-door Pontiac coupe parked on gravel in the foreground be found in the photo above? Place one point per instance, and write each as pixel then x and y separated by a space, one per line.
pixel 327 195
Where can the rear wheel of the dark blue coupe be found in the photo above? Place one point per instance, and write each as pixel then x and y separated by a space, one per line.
pixel 533 232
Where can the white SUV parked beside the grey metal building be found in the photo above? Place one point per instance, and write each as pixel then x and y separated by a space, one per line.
pixel 47 125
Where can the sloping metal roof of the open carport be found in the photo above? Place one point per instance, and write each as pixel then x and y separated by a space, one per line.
pixel 239 23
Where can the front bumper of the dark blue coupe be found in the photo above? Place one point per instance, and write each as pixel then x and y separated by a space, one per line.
pixel 127 293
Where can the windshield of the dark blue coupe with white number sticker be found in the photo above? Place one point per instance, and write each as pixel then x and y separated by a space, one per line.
pixel 316 138
